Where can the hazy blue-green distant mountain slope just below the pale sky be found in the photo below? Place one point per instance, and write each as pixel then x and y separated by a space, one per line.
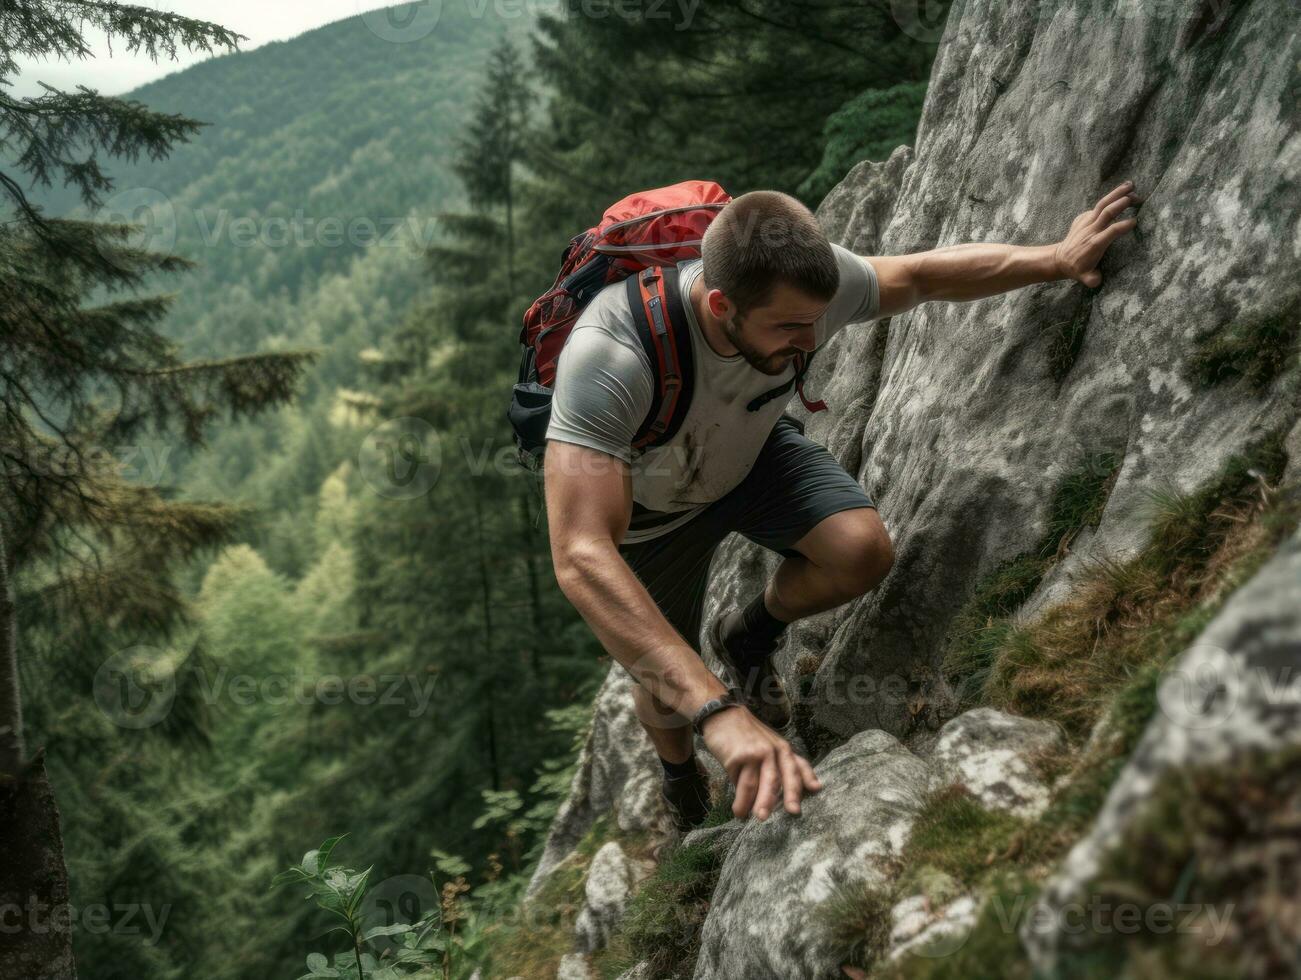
pixel 318 150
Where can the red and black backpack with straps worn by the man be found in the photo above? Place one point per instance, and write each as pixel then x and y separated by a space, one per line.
pixel 639 241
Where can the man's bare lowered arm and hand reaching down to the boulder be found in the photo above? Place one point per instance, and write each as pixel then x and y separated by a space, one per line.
pixel 589 506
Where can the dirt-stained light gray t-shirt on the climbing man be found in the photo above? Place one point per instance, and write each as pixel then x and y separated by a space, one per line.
pixel 606 385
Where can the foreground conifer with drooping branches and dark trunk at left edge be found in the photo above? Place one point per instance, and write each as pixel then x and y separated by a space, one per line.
pixel 83 370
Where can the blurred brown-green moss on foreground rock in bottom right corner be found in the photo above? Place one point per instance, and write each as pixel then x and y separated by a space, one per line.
pixel 1211 871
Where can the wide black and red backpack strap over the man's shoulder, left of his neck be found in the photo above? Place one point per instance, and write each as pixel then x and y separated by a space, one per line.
pixel 655 299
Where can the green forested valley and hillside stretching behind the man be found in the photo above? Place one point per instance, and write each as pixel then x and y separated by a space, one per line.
pixel 383 651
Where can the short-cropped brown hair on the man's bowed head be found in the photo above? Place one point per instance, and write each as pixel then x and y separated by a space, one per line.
pixel 763 239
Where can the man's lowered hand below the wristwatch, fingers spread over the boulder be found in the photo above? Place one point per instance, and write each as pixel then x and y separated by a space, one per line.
pixel 760 763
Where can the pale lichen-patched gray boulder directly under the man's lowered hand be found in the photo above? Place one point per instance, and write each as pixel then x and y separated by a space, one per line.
pixel 763 921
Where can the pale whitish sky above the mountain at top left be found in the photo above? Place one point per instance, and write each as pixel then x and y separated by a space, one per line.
pixel 258 20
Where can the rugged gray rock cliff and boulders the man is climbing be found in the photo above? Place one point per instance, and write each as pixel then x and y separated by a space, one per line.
pixel 962 420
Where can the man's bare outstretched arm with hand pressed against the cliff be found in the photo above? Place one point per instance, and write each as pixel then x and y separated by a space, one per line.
pixel 961 274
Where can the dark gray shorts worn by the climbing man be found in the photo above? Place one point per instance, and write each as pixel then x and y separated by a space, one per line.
pixel 794 486
